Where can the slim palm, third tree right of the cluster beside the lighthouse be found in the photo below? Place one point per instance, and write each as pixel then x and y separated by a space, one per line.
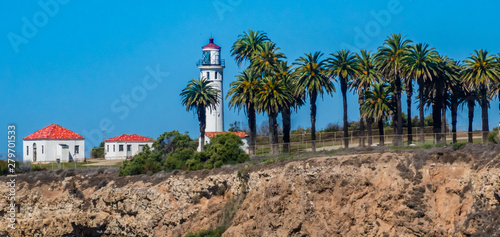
pixel 367 76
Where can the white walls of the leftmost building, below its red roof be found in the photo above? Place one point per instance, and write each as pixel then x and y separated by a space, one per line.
pixel 46 150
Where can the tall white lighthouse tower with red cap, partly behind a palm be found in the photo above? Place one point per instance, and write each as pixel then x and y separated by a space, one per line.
pixel 211 67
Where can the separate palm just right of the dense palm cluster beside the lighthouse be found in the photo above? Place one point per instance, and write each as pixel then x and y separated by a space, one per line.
pixel 311 81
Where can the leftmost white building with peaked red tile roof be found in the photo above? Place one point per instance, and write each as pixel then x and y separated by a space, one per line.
pixel 53 143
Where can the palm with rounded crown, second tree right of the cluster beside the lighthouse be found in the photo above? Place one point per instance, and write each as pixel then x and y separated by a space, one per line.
pixel 343 65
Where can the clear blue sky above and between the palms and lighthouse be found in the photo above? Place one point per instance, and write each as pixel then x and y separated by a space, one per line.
pixel 122 65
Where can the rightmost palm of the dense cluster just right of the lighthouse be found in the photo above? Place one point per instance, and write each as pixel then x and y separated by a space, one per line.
pixel 283 73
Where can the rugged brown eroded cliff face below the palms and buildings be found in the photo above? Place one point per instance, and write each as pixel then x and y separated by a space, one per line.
pixel 436 192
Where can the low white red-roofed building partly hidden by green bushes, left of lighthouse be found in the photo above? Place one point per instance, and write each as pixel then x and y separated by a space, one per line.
pixel 125 146
